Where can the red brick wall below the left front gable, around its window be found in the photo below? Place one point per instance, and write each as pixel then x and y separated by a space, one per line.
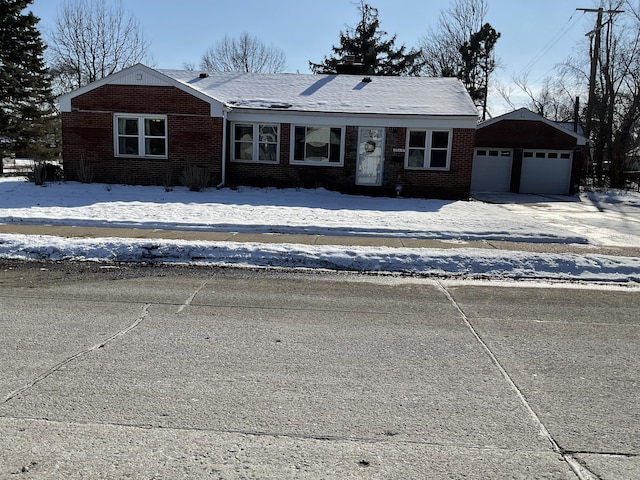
pixel 87 131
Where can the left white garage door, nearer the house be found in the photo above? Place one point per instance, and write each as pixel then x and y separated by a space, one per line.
pixel 491 170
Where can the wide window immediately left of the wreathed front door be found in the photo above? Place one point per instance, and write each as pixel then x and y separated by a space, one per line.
pixel 317 145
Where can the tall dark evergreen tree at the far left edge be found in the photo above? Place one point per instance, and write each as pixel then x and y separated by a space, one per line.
pixel 26 102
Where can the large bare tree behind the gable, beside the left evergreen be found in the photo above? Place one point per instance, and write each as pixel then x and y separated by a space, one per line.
pixel 91 40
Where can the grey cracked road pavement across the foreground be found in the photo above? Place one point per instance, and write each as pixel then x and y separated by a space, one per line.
pixel 165 373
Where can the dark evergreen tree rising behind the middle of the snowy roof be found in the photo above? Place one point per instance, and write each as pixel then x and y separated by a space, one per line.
pixel 366 44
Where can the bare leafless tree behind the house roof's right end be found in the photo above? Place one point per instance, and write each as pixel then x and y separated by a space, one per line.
pixel 441 46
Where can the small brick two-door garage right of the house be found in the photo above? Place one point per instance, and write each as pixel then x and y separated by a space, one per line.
pixel 524 152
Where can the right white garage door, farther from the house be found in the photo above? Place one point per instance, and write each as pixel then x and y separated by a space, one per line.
pixel 546 172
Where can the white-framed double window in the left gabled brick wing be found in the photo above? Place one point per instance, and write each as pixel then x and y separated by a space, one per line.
pixel 140 136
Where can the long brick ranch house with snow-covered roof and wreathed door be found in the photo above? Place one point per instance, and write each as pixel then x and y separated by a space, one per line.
pixel 370 135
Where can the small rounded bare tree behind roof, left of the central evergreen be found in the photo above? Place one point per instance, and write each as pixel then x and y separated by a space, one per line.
pixel 243 54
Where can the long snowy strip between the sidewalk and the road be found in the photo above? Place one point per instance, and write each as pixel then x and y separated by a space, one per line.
pixel 460 262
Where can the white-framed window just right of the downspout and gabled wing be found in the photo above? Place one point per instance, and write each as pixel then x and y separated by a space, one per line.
pixel 255 142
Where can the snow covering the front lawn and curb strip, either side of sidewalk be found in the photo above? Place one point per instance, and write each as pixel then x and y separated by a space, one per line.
pixel 589 220
